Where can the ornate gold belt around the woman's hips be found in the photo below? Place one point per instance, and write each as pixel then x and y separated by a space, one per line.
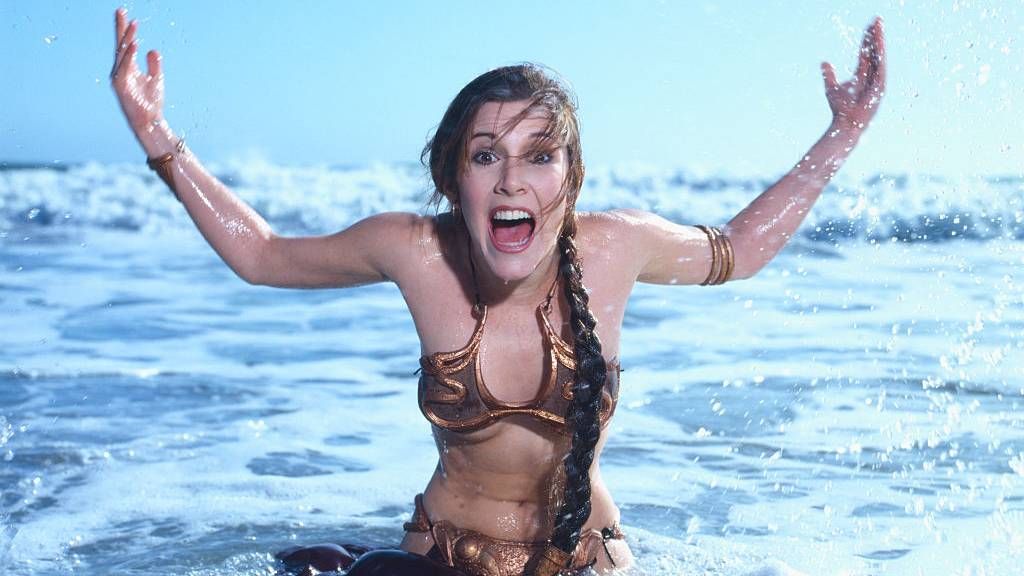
pixel 480 555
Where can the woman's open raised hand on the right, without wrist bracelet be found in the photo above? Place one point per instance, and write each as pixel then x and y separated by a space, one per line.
pixel 855 103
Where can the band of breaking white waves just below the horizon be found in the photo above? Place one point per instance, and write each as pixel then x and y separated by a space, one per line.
pixel 319 199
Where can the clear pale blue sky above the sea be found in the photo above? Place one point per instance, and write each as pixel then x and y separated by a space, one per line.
pixel 711 87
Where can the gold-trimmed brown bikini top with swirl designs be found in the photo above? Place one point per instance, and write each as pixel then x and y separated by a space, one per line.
pixel 454 396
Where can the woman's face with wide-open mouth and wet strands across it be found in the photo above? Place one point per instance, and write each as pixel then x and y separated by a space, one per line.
pixel 510 191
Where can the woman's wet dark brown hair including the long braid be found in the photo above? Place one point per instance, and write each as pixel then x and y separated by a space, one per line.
pixel 446 156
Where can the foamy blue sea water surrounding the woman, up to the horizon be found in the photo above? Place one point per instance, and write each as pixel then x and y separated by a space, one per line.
pixel 857 408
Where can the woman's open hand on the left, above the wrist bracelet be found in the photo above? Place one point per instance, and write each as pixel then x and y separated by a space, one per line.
pixel 141 96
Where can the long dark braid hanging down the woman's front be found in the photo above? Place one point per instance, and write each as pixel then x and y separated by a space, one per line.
pixel 585 409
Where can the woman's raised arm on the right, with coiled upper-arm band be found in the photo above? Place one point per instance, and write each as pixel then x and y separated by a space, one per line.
pixel 677 255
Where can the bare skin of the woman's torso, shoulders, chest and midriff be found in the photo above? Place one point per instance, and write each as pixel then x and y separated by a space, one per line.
pixel 504 479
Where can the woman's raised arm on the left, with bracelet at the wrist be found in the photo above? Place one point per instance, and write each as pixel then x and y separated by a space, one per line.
pixel 363 255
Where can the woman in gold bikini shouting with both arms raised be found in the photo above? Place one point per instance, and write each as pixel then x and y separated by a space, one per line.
pixel 519 374
